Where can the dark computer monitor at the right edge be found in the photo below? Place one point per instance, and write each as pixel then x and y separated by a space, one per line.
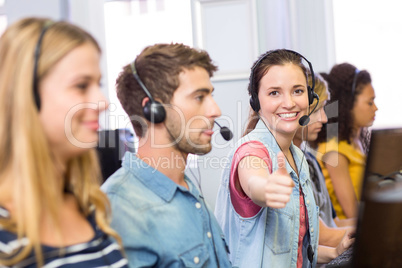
pixel 379 228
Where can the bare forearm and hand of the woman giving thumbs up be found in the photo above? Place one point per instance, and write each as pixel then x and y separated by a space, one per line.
pixel 263 188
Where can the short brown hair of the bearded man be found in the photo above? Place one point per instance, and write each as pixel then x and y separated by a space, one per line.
pixel 159 67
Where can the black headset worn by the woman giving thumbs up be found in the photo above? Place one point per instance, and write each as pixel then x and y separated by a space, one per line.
pixel 255 102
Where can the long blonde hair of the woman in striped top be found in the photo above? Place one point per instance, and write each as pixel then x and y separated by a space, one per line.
pixel 26 159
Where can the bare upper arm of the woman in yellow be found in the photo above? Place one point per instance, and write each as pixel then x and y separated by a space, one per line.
pixel 342 182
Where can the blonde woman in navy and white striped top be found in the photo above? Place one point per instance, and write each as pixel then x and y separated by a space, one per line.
pixel 52 210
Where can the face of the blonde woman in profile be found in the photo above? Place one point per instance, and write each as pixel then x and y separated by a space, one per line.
pixel 71 96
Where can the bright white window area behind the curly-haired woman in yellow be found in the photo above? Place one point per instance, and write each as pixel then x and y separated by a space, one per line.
pixel 368 35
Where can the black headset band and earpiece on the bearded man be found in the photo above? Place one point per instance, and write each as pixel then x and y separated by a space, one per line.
pixel 153 110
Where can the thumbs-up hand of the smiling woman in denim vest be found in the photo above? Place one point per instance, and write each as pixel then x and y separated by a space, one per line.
pixel 279 185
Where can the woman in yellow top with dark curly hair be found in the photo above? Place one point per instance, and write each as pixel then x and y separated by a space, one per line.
pixel 343 148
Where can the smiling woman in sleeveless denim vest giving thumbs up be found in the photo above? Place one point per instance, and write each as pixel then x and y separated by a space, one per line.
pixel 265 191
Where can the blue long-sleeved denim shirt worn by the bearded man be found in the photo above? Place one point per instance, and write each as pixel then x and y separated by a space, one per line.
pixel 162 224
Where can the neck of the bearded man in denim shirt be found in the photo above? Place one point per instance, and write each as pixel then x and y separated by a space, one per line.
pixel 157 152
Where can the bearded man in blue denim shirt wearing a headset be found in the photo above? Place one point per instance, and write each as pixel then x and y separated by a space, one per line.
pixel 159 213
